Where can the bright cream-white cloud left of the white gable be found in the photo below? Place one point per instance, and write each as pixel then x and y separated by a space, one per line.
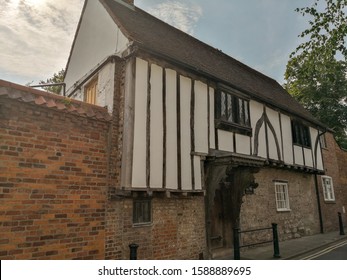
pixel 36 36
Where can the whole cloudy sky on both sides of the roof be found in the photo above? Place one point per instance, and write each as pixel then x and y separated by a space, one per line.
pixel 36 35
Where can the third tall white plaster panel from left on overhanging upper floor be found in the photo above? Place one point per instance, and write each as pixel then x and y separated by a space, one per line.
pixel 171 129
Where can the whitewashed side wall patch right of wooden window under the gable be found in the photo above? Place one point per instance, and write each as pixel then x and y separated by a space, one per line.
pixel 106 87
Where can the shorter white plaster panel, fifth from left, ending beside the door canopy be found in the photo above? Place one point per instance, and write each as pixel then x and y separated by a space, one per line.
pixel 201 118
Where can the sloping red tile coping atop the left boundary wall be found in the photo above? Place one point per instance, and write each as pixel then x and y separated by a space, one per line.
pixel 52 101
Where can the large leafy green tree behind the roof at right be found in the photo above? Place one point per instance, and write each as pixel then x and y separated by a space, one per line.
pixel 316 72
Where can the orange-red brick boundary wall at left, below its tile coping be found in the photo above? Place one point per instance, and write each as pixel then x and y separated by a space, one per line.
pixel 53 179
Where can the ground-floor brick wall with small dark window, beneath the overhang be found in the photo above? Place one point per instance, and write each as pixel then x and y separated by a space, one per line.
pixel 177 230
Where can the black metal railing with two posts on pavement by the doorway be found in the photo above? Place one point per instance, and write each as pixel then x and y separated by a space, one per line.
pixel 274 240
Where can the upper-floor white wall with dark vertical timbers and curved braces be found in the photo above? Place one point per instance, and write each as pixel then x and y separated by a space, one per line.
pixel 174 125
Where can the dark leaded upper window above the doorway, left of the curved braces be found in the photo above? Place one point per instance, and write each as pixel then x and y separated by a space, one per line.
pixel 232 112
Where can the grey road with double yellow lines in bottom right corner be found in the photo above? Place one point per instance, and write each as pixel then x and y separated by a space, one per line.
pixel 337 251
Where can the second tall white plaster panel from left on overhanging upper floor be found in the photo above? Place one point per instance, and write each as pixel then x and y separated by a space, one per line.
pixel 156 127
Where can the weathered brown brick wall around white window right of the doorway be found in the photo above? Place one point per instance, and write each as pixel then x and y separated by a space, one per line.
pixel 259 209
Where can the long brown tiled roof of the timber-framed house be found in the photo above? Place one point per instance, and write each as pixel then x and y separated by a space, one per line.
pixel 154 35
